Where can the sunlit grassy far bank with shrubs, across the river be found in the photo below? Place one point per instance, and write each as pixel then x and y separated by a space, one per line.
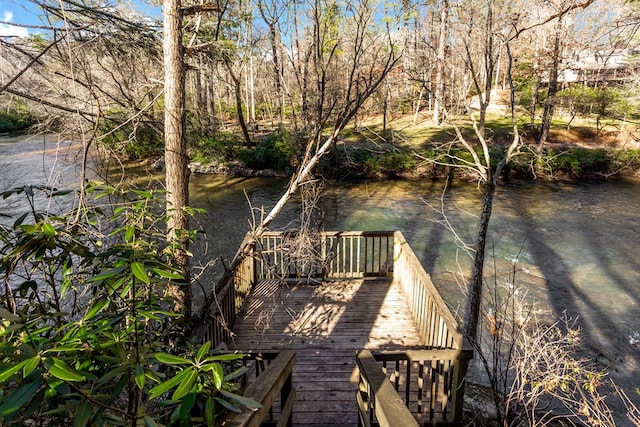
pixel 392 146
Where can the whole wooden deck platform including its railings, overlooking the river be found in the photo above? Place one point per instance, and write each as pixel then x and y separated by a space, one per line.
pixel 374 342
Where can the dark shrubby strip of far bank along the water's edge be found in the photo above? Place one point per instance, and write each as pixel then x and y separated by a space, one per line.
pixel 558 162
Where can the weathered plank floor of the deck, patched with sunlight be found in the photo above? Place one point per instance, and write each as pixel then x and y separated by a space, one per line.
pixel 326 324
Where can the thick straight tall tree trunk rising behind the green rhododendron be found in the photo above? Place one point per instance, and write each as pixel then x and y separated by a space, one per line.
pixel 176 159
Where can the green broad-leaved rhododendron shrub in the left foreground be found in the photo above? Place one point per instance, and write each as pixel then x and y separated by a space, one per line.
pixel 89 329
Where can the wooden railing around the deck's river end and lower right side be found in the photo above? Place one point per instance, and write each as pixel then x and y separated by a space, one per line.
pixel 359 254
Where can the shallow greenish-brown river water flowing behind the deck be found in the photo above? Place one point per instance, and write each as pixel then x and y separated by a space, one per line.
pixel 576 244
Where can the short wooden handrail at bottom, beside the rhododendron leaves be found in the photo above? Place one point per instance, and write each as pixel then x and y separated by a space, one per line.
pixel 276 380
